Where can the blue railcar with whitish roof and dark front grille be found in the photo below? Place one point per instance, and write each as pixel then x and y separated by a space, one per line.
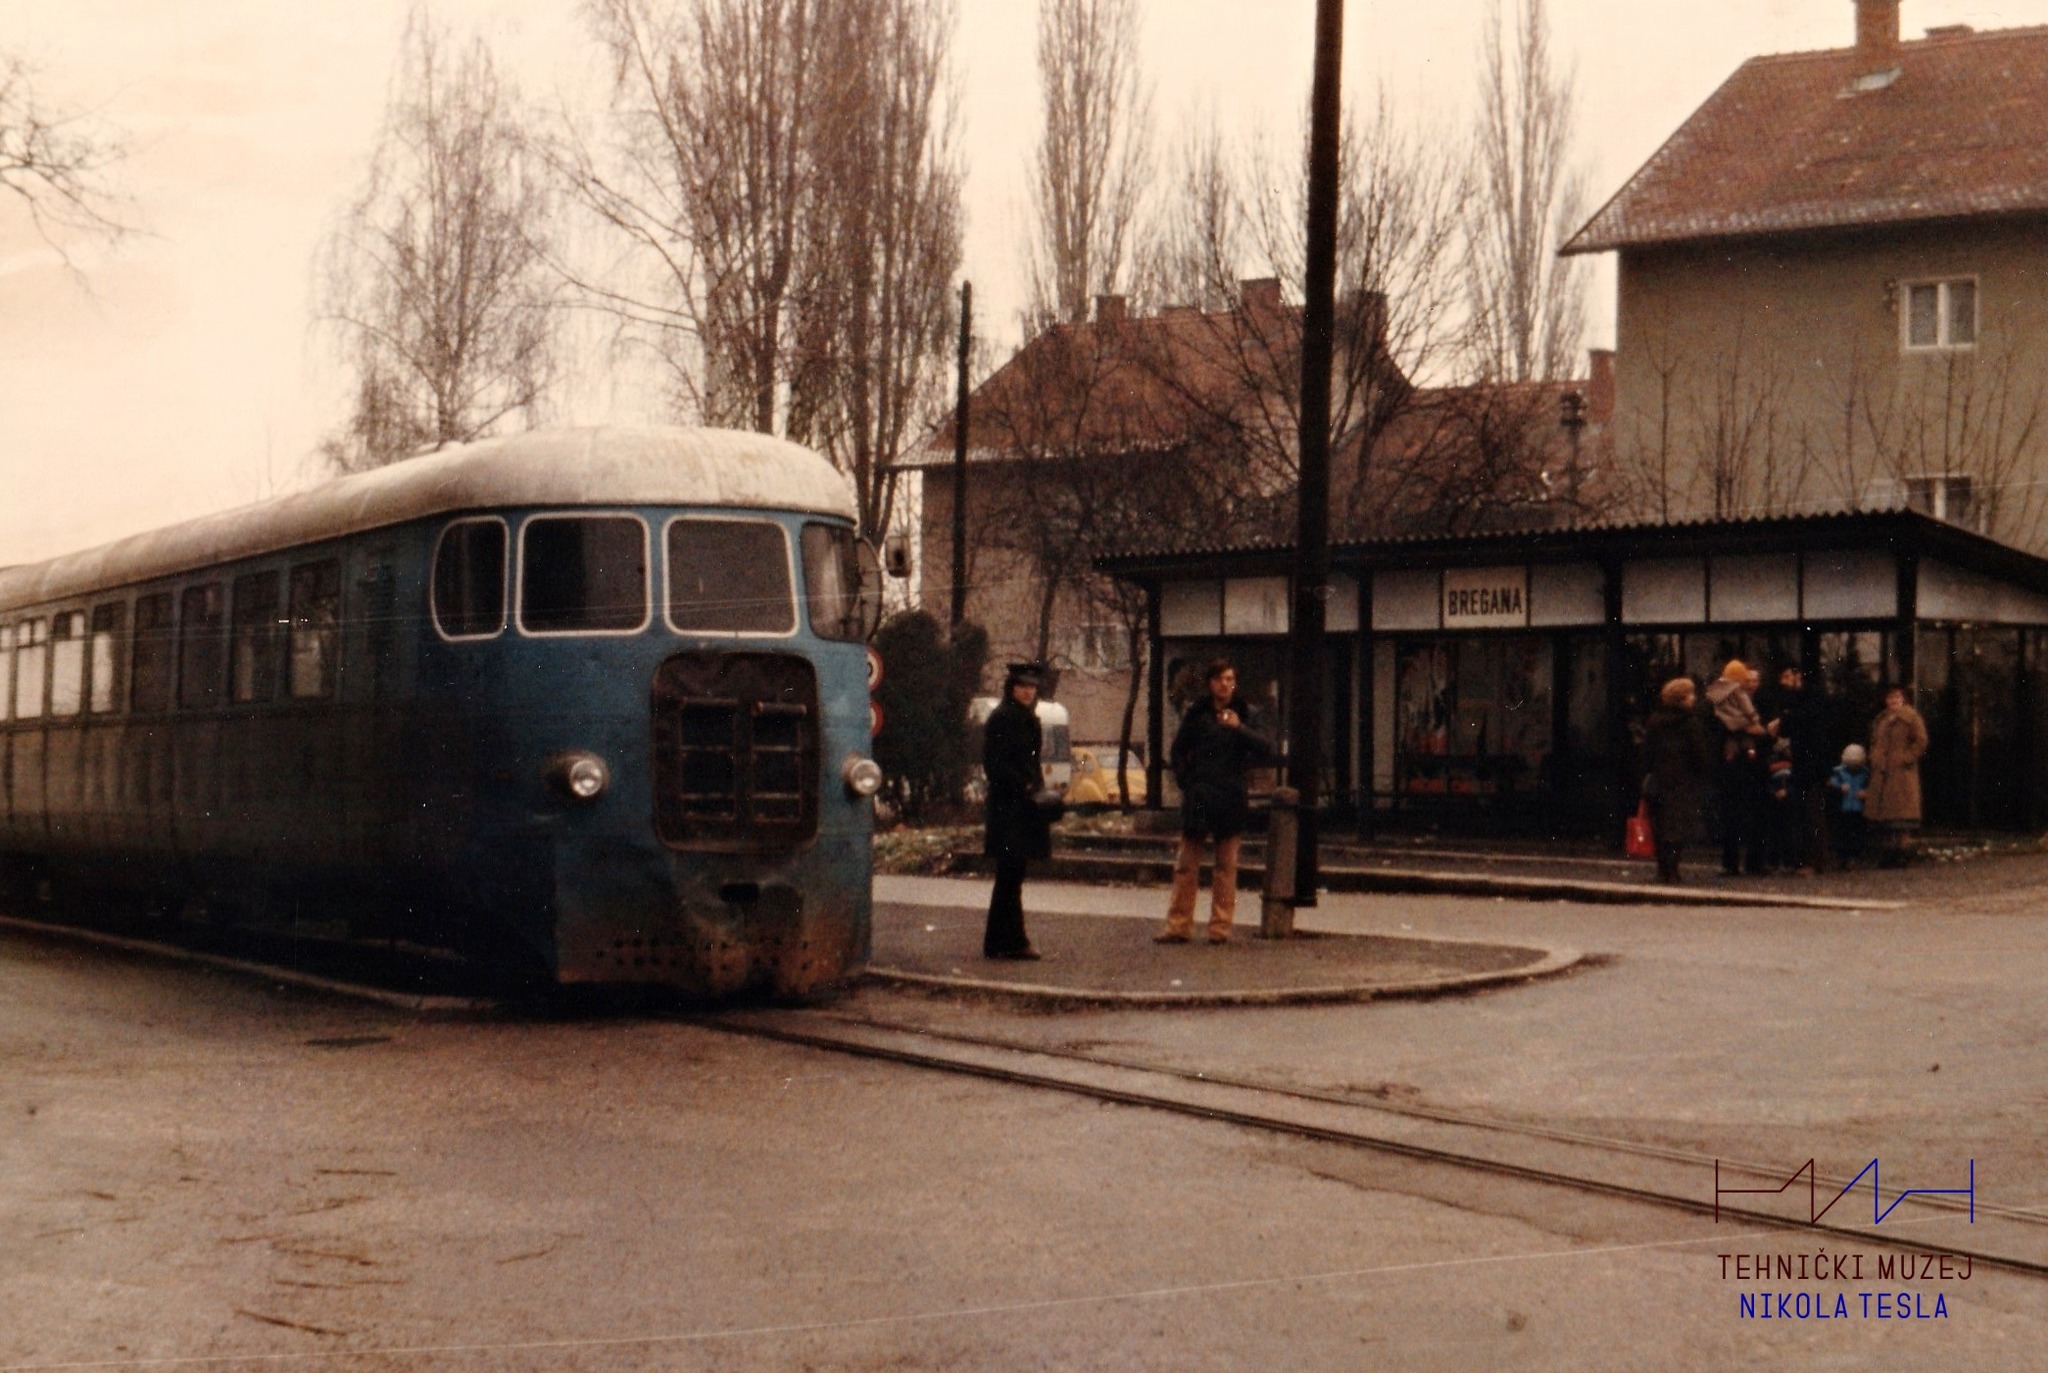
pixel 587 704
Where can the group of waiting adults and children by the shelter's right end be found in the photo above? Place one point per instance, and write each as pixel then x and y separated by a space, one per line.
pixel 1756 767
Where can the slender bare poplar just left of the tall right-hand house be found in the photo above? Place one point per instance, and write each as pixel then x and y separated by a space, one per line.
pixel 1527 304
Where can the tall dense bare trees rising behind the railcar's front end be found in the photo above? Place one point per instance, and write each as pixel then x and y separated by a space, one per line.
pixel 783 175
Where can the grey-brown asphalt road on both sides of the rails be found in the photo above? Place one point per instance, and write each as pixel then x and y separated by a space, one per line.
pixel 206 1171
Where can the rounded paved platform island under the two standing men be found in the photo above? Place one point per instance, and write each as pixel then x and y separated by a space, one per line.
pixel 1099 952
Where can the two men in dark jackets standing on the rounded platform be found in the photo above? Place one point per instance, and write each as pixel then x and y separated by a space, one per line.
pixel 1213 755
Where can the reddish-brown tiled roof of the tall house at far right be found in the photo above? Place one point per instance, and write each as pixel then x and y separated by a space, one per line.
pixel 1940 128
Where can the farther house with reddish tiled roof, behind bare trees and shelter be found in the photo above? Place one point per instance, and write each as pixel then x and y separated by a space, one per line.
pixel 1179 429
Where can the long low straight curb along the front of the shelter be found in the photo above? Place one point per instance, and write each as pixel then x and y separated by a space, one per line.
pixel 1426 882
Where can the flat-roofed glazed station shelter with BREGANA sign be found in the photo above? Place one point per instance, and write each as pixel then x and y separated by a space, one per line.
pixel 1498 683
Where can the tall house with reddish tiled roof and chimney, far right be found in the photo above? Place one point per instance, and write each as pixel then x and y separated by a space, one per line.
pixel 1834 286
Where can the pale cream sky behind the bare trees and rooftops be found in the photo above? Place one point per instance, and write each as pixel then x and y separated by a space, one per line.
pixel 181 374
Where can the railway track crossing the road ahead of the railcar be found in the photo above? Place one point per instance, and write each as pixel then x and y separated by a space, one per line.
pixel 1990 1235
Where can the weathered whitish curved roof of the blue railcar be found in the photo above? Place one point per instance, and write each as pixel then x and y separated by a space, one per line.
pixel 548 468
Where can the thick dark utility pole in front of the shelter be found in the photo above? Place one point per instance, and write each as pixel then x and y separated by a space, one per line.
pixel 1312 546
